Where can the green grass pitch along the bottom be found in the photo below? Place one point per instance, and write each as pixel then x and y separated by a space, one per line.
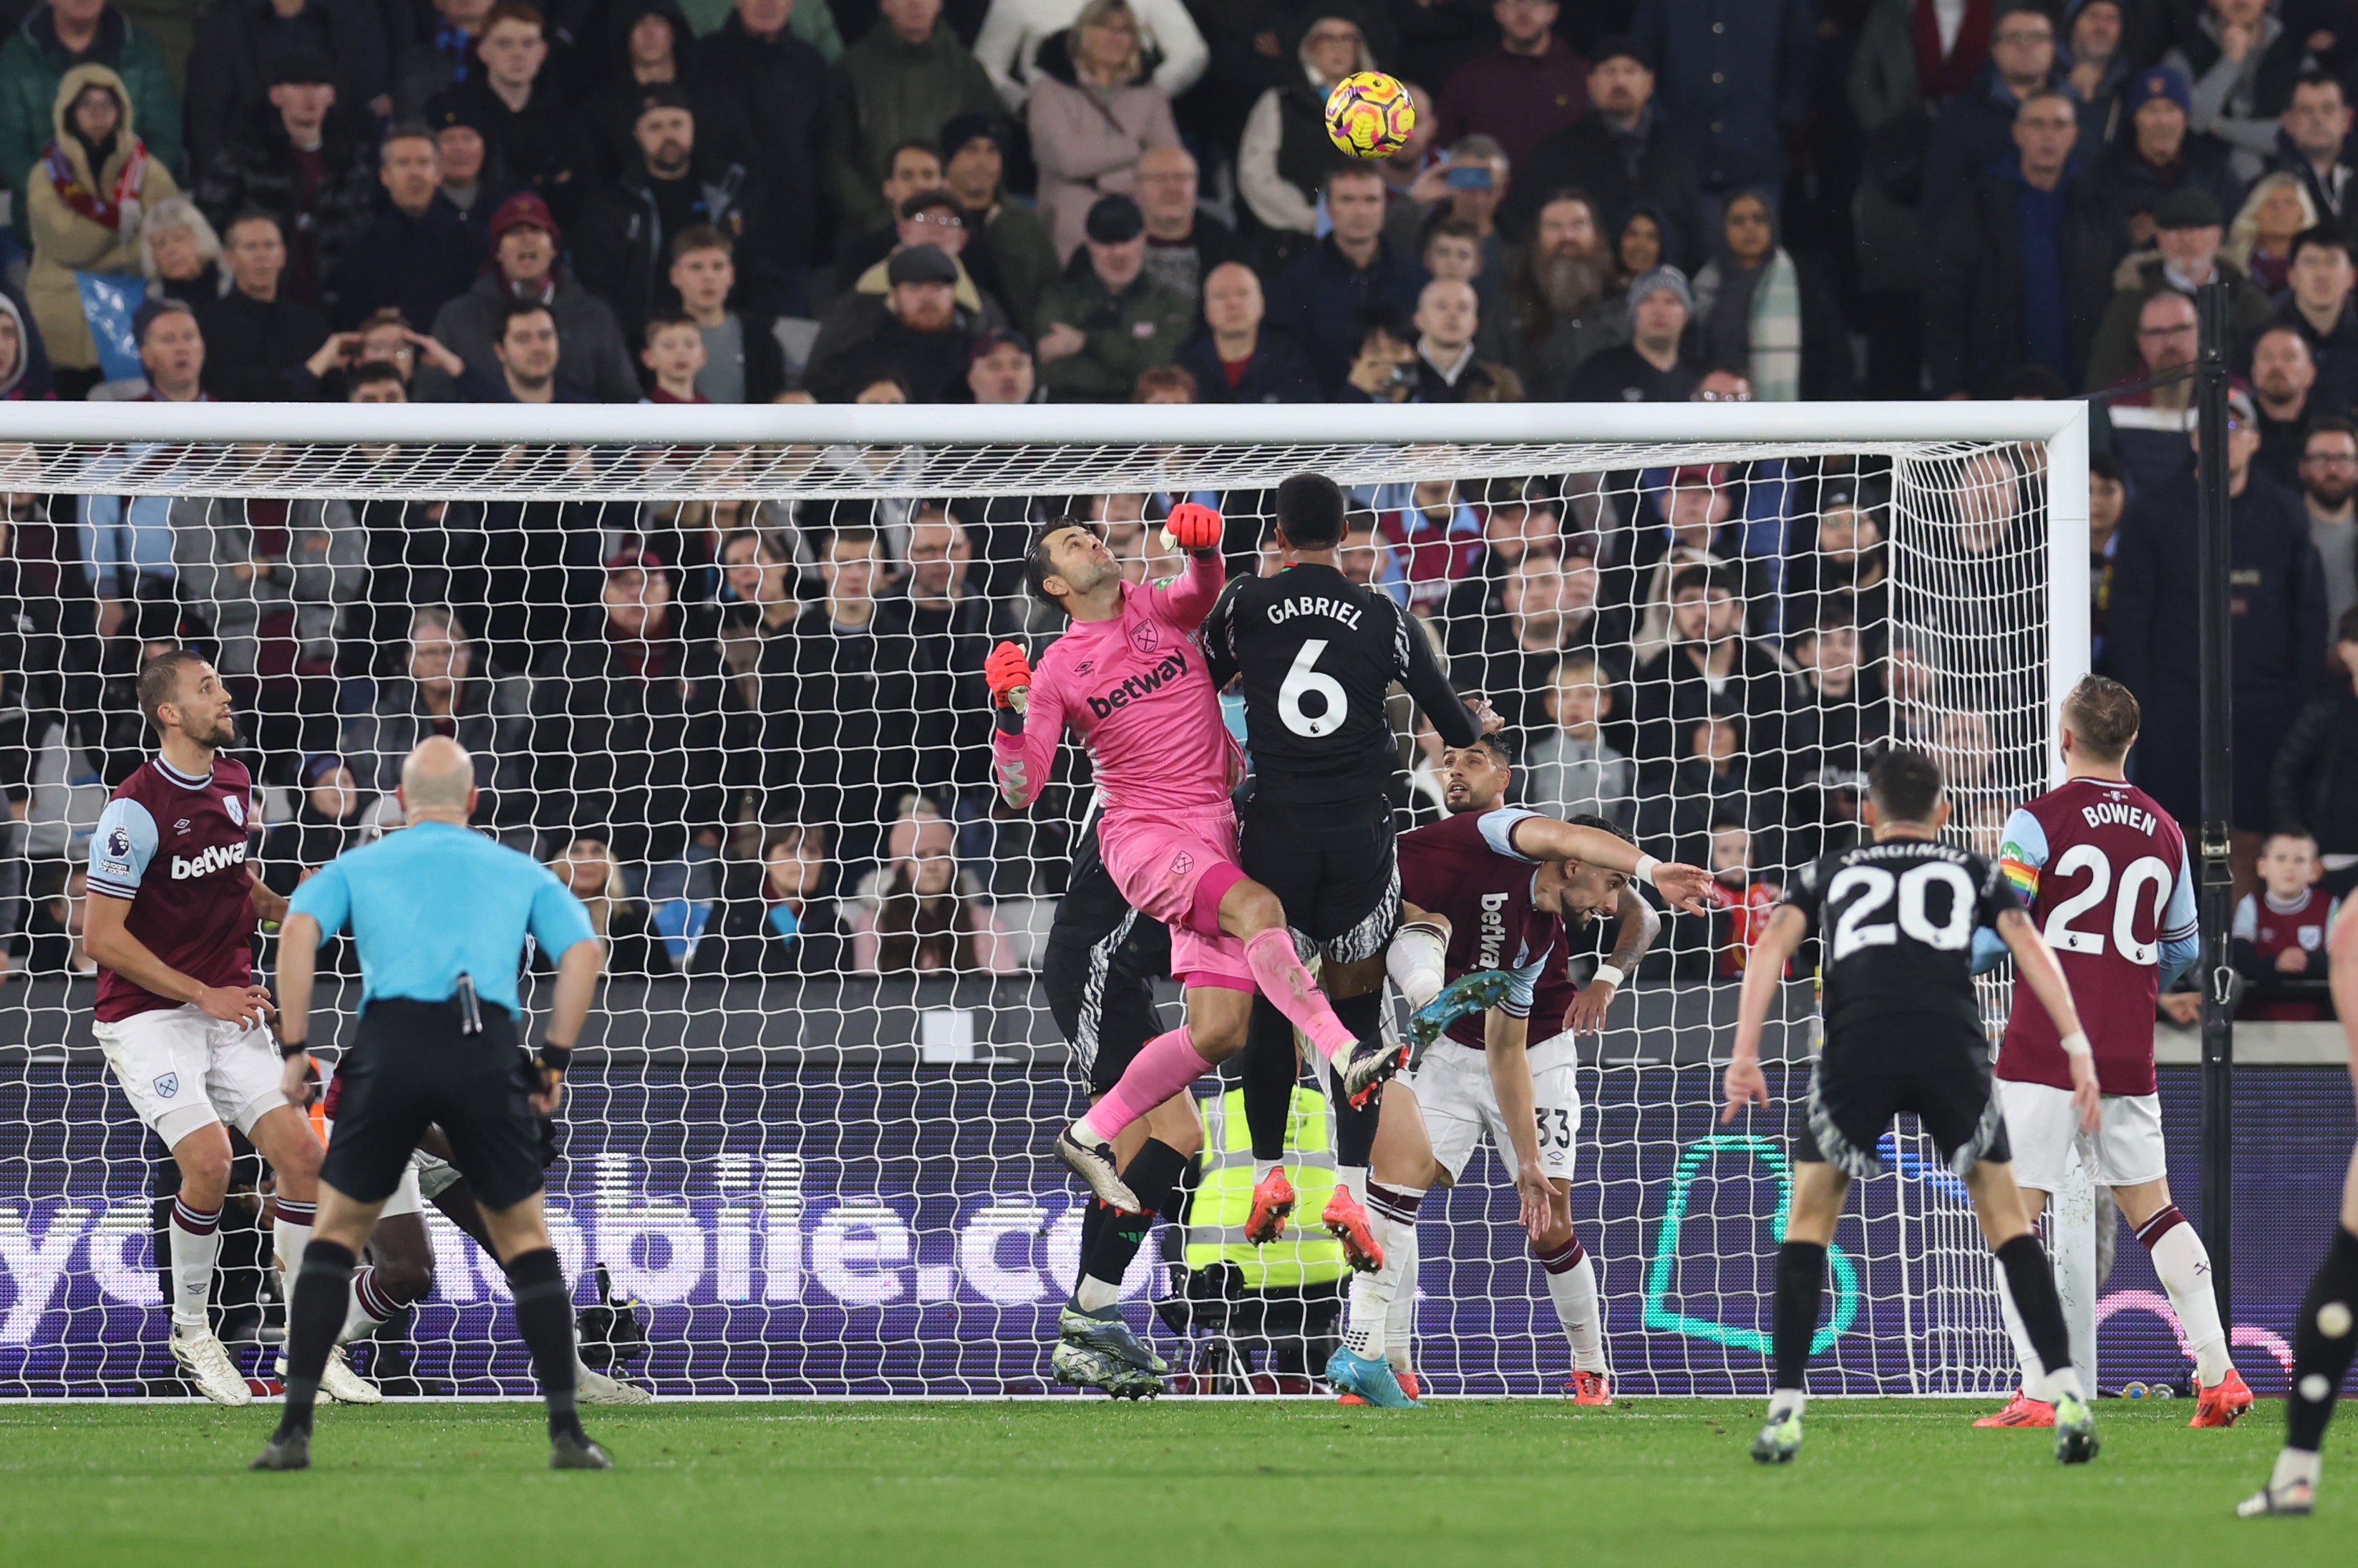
pixel 1055 1484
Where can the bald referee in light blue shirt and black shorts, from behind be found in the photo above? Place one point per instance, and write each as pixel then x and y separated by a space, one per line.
pixel 440 916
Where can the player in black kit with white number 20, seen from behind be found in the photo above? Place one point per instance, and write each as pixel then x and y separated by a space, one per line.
pixel 1904 1034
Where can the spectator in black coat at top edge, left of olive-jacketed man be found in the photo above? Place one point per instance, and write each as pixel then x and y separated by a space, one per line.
pixel 772 86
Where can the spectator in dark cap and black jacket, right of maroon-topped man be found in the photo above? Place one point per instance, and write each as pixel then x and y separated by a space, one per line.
pixel 1619 157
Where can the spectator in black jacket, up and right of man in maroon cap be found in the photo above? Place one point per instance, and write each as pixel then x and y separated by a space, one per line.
pixel 624 251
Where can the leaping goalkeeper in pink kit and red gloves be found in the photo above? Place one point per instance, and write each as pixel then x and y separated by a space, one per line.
pixel 1133 685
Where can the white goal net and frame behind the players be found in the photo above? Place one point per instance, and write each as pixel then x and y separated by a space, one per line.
pixel 723 671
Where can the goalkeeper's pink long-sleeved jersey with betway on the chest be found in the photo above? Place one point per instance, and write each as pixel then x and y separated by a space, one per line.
pixel 1138 694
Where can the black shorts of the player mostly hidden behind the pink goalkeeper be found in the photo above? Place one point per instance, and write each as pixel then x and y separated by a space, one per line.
pixel 1102 968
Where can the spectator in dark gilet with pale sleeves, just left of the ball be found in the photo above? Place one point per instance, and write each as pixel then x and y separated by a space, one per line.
pixel 1286 159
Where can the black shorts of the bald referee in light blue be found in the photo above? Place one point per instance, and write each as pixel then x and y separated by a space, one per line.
pixel 414 1067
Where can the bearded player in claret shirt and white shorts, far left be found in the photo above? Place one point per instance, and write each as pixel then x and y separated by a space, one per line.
pixel 180 1017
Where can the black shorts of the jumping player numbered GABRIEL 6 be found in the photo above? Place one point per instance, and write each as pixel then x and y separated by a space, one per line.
pixel 1333 869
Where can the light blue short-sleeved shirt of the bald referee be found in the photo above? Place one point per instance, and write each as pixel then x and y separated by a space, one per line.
pixel 435 902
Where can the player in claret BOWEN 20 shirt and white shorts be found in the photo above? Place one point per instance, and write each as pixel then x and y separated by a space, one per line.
pixel 2105 874
